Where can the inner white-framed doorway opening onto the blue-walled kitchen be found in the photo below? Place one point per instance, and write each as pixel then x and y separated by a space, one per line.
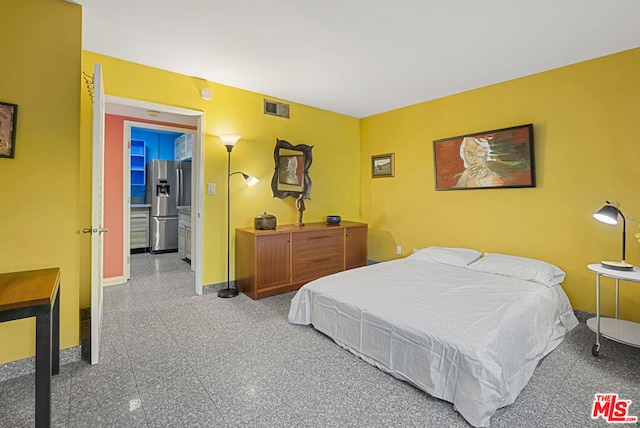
pixel 160 185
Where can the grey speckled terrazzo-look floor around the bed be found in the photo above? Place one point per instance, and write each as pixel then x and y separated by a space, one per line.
pixel 173 359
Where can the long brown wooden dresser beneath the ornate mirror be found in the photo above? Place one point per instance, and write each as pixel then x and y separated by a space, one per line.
pixel 271 262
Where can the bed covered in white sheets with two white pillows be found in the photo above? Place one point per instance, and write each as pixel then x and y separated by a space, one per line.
pixel 463 328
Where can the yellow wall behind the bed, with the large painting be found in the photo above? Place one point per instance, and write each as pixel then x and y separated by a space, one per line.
pixel 587 150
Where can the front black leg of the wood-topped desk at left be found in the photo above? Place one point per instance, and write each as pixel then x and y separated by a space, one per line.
pixel 43 369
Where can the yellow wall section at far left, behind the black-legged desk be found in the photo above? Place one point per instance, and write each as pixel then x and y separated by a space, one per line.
pixel 41 55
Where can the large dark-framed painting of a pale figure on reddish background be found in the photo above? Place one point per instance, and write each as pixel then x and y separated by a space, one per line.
pixel 490 159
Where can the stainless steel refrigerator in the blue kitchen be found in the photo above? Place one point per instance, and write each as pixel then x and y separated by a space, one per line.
pixel 168 187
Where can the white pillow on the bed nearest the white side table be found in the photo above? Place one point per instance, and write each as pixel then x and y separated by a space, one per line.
pixel 519 267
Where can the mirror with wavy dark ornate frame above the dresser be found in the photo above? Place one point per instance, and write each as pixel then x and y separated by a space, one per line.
pixel 291 175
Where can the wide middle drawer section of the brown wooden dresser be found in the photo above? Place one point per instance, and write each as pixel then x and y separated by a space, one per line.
pixel 317 253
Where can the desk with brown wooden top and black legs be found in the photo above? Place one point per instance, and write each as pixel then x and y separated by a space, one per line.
pixel 36 293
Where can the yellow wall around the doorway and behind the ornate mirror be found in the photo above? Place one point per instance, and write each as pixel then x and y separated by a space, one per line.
pixel 334 171
